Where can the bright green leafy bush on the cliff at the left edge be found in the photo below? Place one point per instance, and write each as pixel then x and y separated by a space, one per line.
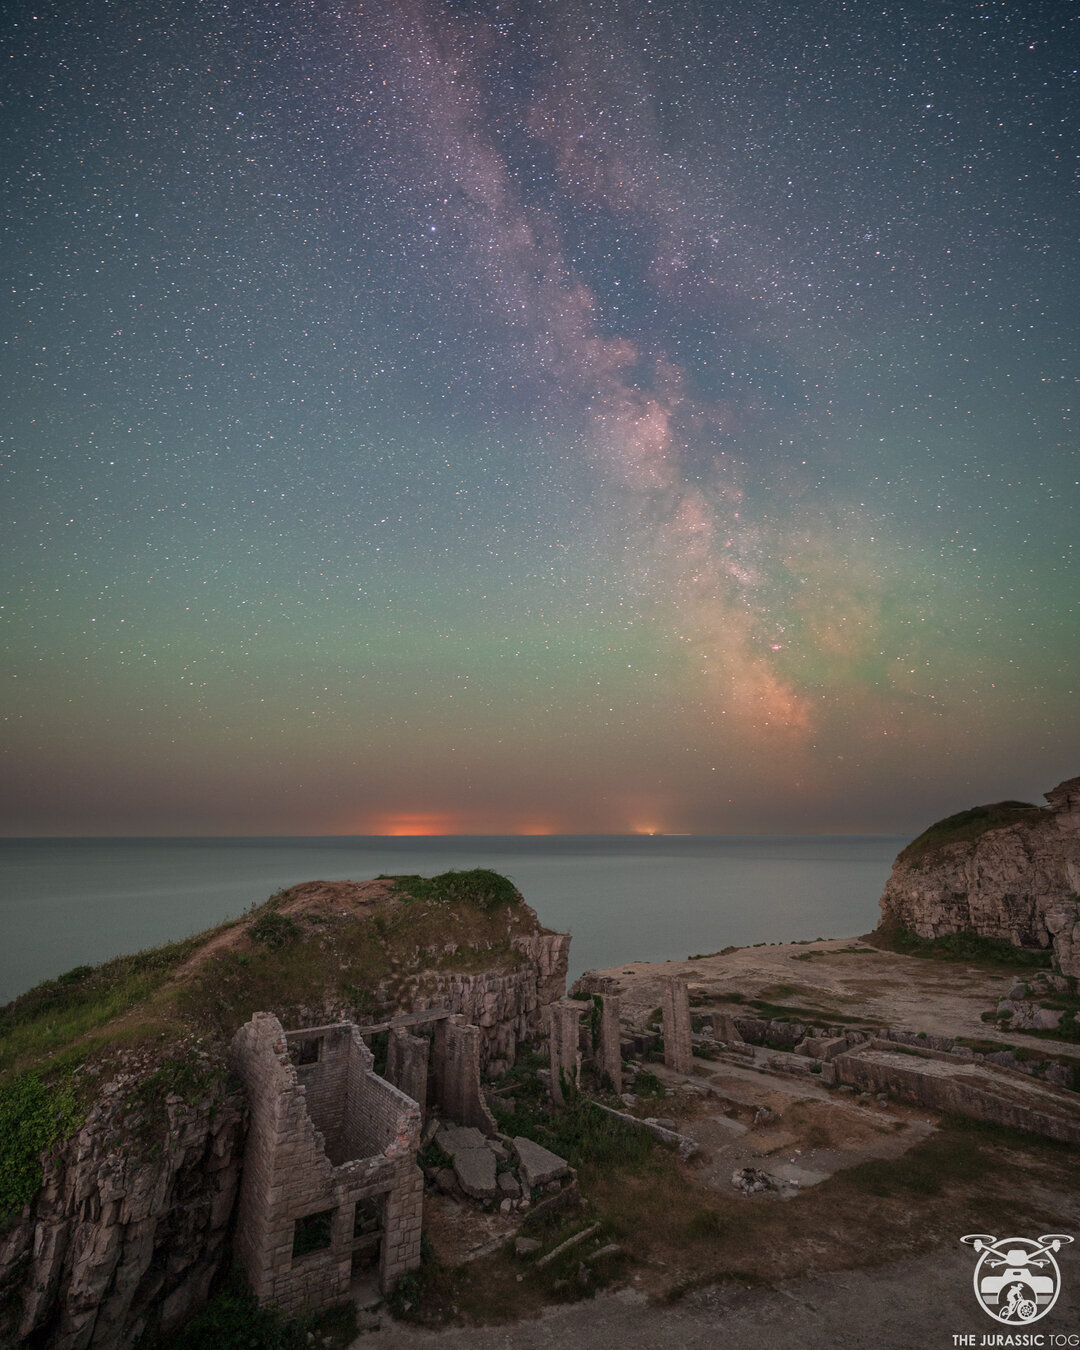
pixel 34 1116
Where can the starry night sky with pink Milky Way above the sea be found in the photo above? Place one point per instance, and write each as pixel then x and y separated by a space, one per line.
pixel 491 418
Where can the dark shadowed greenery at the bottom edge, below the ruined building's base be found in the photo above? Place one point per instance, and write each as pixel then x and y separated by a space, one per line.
pixel 233 1321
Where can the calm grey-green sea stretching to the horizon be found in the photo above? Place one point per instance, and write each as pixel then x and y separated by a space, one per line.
pixel 74 902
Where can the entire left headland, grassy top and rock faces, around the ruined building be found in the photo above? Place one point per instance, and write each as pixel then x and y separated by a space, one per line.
pixel 128 1214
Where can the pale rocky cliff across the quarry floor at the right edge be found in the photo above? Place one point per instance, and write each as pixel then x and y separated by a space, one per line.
pixel 1017 882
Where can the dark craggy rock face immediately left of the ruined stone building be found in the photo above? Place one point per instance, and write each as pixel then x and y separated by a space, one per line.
pixel 132 1224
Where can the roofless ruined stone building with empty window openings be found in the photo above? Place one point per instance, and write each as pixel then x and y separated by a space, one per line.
pixel 330 1181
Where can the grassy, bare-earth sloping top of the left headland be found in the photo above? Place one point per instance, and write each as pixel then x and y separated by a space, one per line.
pixel 315 952
